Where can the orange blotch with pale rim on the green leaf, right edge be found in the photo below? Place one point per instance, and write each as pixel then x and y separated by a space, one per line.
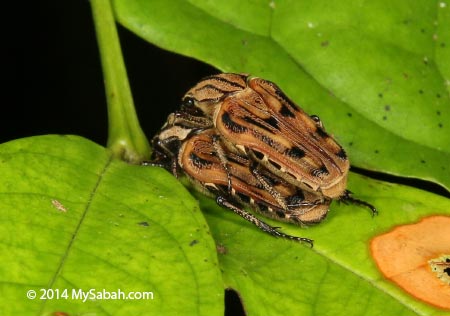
pixel 403 255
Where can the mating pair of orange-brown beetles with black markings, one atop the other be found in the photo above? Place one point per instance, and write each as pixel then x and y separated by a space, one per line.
pixel 242 140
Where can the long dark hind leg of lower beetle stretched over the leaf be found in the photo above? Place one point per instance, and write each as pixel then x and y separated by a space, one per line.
pixel 222 201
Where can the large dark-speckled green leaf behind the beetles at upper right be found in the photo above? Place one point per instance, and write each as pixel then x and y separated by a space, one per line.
pixel 377 73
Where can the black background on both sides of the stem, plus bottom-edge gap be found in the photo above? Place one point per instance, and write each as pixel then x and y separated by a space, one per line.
pixel 52 79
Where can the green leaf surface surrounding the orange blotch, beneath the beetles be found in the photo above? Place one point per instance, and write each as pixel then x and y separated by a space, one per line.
pixel 337 276
